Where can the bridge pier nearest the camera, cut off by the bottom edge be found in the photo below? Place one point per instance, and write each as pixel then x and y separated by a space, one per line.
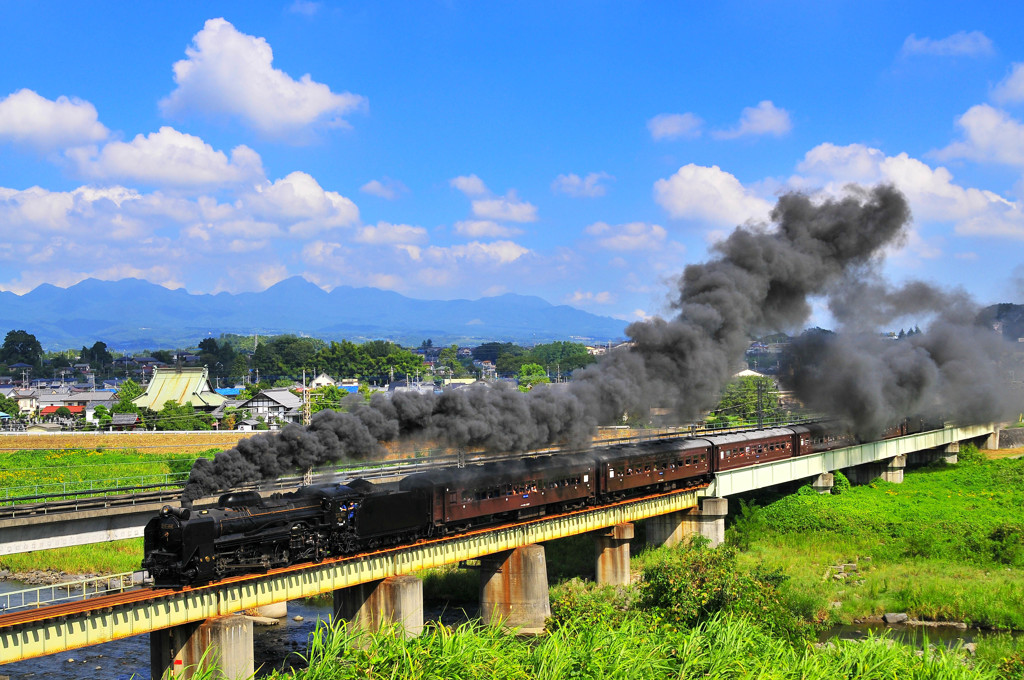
pixel 186 651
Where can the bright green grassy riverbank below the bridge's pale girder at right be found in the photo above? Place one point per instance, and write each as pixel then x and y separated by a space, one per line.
pixel 948 544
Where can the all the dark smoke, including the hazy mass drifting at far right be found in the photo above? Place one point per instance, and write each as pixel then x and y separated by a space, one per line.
pixel 761 280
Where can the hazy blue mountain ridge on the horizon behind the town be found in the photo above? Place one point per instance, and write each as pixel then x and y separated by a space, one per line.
pixel 132 315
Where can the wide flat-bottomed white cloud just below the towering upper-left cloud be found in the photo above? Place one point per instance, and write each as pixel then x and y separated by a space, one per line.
pixel 169 158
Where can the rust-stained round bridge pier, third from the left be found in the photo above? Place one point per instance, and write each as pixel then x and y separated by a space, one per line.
pixel 515 589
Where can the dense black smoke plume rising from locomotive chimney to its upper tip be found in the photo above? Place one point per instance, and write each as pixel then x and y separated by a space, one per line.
pixel 760 280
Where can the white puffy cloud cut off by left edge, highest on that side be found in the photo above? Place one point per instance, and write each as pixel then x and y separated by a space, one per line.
pixel 27 118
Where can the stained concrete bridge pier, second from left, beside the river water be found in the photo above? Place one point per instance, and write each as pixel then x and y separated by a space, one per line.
pixel 375 605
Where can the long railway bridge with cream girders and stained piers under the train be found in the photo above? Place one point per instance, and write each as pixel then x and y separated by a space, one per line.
pixel 379 587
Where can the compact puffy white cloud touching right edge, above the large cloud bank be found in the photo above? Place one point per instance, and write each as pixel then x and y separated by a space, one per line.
pixel 991 136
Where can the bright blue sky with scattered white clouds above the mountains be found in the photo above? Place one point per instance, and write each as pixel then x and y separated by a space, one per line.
pixel 583 152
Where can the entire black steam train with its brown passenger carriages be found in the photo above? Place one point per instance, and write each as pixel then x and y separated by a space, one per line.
pixel 247 533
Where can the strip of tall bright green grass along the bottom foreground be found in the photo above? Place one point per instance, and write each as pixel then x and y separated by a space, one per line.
pixel 639 648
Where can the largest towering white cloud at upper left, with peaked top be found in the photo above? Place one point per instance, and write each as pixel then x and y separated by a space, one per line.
pixel 230 73
